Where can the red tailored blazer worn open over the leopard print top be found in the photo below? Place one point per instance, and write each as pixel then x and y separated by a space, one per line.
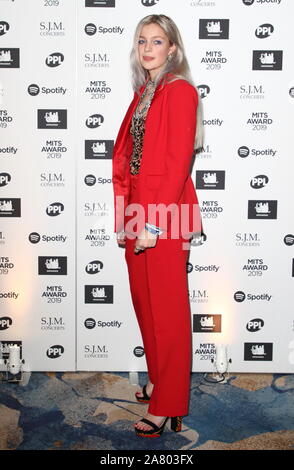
pixel 164 175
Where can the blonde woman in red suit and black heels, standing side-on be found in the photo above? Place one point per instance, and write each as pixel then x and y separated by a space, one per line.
pixel 151 165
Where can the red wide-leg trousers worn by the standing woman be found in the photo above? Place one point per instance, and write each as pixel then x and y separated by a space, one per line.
pixel 159 291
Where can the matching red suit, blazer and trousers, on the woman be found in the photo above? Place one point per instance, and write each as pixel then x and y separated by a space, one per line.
pixel 158 277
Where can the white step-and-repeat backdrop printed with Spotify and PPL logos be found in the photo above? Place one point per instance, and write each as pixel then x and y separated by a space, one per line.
pixel 64 89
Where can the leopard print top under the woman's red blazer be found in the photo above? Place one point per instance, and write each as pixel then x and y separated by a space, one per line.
pixel 138 126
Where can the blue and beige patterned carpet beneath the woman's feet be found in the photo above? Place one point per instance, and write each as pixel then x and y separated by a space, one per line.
pixel 96 411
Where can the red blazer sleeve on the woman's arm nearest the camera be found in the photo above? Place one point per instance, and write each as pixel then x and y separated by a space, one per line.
pixel 181 108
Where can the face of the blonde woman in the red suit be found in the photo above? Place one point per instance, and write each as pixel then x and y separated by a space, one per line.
pixel 153 48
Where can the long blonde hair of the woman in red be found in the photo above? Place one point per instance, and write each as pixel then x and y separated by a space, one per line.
pixel 178 65
